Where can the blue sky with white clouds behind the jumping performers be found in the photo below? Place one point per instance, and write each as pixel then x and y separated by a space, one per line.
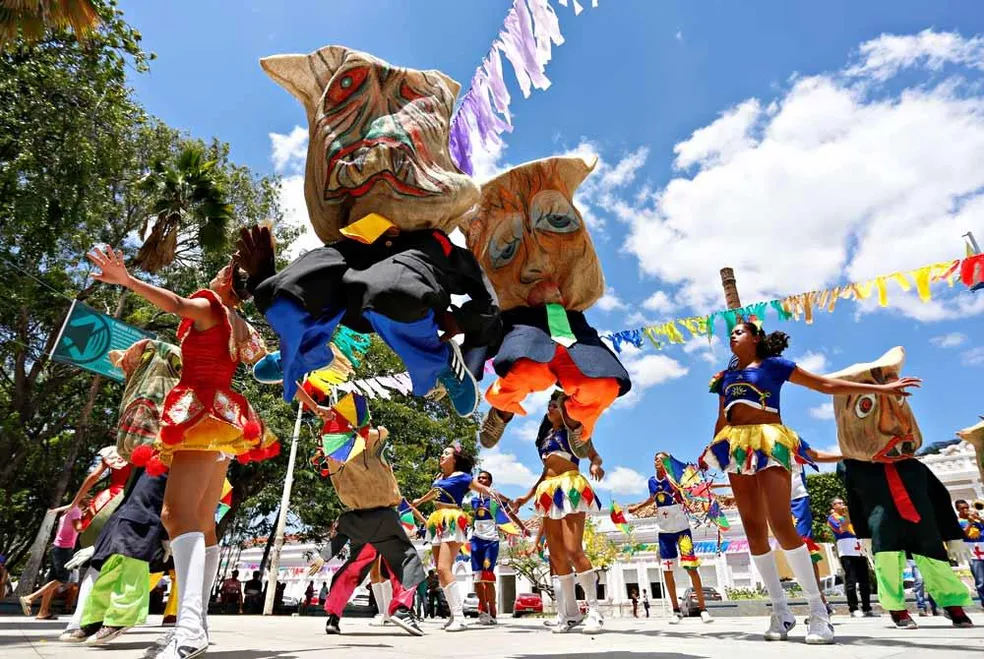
pixel 804 145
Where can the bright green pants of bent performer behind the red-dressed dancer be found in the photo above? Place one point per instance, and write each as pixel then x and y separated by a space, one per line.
pixel 121 595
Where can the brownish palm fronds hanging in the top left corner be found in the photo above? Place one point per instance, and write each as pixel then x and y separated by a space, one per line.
pixel 32 18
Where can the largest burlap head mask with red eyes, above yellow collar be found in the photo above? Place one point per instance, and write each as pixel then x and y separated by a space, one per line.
pixel 378 141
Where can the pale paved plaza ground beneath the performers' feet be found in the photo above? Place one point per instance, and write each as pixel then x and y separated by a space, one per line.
pixel 250 637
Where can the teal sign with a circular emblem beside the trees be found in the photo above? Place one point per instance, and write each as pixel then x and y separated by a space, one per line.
pixel 87 337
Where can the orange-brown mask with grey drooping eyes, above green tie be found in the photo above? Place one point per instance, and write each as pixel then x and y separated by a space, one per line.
pixel 532 241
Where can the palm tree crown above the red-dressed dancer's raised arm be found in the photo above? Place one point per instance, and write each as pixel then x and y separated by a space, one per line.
pixel 190 210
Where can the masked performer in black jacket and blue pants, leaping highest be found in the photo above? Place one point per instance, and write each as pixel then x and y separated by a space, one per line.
pixel 382 191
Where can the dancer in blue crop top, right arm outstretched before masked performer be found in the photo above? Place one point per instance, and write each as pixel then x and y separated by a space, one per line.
pixel 757 452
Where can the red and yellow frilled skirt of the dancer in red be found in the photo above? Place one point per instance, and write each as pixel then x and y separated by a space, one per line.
pixel 213 419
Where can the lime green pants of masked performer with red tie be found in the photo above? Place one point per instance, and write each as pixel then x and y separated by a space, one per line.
pixel 945 587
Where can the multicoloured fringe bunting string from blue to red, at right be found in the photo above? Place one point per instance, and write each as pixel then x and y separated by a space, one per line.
pixel 970 271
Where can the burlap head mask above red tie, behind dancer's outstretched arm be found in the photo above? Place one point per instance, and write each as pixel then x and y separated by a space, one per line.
pixel 876 428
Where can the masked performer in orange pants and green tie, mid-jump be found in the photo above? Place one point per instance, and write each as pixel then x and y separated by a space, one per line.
pixel 535 247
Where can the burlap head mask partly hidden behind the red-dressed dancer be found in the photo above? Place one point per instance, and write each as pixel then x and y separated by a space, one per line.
pixel 152 368
